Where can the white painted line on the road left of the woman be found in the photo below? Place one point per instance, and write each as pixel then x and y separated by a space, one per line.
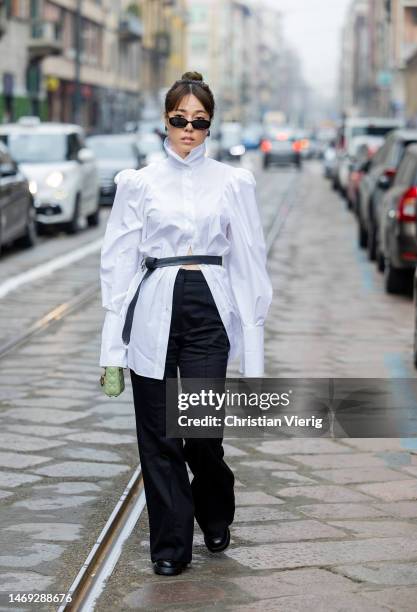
pixel 48 268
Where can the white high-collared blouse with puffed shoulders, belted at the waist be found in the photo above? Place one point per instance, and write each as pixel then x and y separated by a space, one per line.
pixel 162 210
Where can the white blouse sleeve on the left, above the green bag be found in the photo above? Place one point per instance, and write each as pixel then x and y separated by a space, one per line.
pixel 120 257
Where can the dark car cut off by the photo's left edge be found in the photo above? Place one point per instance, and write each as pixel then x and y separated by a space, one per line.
pixel 17 211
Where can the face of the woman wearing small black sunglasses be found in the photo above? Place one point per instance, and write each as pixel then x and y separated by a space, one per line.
pixel 185 139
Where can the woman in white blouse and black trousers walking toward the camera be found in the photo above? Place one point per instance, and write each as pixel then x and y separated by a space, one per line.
pixel 185 286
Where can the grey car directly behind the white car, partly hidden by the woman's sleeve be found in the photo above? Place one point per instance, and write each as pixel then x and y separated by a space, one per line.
pixel 113 152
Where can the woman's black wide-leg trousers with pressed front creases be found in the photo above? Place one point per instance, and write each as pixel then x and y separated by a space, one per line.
pixel 198 345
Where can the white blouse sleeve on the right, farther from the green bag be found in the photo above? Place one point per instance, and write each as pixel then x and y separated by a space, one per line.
pixel 246 266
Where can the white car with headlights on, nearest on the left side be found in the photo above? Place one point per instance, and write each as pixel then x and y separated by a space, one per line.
pixel 61 170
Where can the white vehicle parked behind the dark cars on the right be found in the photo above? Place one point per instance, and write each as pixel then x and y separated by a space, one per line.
pixel 345 143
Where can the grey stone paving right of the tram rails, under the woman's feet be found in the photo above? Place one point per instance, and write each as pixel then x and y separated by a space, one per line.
pixel 325 525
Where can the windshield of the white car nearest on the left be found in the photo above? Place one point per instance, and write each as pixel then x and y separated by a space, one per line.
pixel 37 148
